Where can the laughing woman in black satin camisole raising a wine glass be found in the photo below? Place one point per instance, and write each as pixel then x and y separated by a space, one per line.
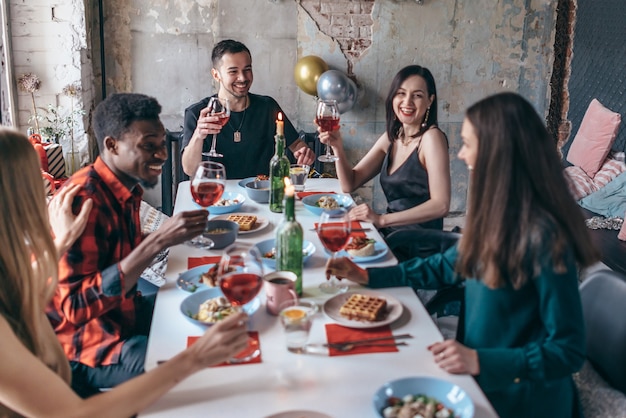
pixel 411 158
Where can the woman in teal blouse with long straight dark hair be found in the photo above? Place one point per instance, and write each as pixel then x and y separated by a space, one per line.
pixel 523 241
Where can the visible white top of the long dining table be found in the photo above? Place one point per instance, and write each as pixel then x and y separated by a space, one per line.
pixel 286 384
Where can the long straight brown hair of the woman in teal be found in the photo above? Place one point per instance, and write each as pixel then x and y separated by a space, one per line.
pixel 518 198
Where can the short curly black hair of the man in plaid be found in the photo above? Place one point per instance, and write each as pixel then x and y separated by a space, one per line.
pixel 117 112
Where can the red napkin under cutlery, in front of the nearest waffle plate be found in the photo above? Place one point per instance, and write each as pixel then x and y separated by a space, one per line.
pixel 338 334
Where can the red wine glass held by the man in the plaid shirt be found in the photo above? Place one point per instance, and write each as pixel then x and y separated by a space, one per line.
pixel 207 187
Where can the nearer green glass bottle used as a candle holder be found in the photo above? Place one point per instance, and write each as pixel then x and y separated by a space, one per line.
pixel 289 241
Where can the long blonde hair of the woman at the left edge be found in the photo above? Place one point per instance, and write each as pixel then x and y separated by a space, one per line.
pixel 28 257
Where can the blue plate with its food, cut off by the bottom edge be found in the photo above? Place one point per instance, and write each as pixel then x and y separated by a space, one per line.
pixel 413 396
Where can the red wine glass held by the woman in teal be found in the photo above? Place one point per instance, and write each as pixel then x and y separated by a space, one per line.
pixel 333 230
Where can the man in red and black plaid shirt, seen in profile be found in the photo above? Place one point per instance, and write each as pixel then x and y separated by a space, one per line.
pixel 100 318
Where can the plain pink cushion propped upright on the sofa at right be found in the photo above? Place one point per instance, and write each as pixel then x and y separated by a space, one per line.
pixel 594 139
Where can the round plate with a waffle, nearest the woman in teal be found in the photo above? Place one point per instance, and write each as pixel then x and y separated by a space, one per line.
pixel 363 309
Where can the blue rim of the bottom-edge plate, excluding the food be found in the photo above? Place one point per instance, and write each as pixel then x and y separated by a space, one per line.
pixel 450 395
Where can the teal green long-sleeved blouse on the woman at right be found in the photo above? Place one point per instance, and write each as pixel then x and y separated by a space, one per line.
pixel 529 341
